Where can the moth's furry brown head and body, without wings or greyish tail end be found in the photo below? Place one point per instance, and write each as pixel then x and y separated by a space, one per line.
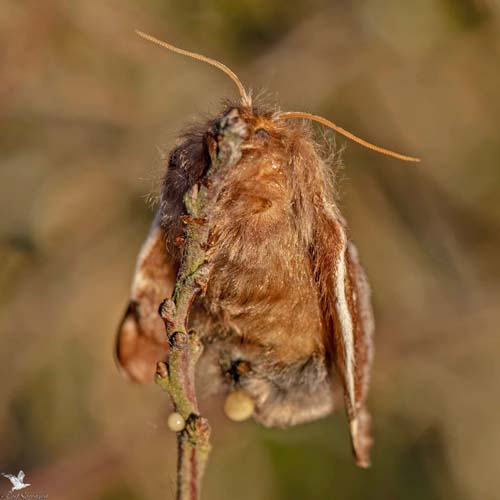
pixel 262 280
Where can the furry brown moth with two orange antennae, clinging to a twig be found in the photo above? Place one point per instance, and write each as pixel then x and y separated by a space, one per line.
pixel 286 315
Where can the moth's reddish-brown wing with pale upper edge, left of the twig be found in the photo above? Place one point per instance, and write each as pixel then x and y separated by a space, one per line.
pixel 141 341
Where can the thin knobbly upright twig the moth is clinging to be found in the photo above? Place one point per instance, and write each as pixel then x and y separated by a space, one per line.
pixel 177 375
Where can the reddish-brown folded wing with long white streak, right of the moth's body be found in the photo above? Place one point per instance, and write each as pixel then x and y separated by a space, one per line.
pixel 345 296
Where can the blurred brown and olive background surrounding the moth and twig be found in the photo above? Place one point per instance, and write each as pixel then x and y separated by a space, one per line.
pixel 86 111
